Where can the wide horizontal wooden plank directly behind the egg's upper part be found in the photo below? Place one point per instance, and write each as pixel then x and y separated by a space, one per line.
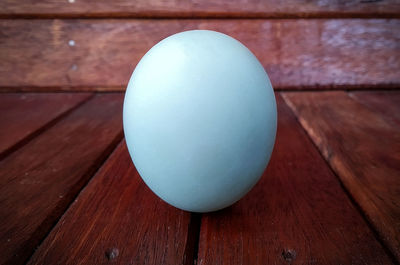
pixel 101 54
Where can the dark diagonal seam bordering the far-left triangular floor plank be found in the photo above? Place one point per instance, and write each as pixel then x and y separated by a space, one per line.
pixel 42 129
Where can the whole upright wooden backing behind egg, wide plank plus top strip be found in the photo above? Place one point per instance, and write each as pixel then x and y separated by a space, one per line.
pixel 95 45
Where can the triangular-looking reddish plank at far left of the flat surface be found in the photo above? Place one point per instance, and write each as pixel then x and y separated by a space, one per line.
pixel 25 115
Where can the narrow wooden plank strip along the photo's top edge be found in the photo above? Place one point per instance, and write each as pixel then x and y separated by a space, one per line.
pixel 208 8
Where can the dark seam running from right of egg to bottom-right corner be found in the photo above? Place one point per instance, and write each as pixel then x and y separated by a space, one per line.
pixel 346 191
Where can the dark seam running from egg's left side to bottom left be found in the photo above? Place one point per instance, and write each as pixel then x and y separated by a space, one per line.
pixel 90 174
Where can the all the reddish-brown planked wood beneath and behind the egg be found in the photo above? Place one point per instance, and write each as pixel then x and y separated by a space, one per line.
pixel 70 194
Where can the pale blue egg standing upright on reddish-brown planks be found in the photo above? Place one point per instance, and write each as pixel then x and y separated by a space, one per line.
pixel 200 120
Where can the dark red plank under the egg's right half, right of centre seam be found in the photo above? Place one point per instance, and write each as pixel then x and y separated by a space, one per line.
pixel 298 213
